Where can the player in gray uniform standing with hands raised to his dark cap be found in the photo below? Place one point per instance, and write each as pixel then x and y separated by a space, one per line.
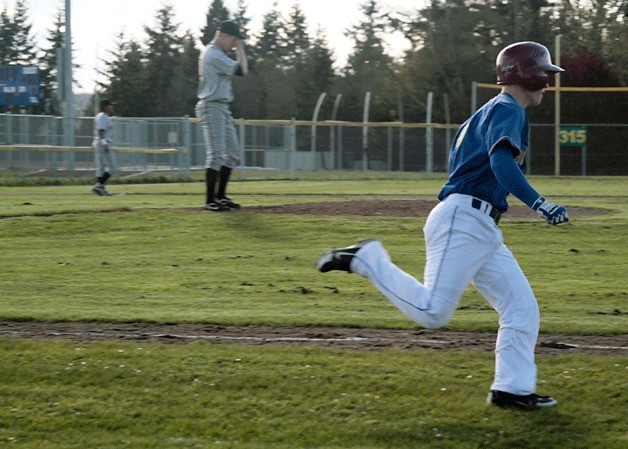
pixel 215 94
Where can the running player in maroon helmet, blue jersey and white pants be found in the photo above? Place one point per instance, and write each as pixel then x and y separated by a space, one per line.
pixel 462 239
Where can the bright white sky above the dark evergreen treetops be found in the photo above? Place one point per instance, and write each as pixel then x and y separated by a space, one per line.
pixel 95 23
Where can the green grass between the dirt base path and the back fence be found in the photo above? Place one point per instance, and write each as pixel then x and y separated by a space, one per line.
pixel 156 257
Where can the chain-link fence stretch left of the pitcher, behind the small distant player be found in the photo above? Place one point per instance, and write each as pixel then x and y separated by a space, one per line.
pixel 35 144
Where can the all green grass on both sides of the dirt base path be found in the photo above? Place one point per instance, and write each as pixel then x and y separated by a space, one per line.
pixel 149 254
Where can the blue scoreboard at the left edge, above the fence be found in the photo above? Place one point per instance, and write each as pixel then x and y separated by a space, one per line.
pixel 19 85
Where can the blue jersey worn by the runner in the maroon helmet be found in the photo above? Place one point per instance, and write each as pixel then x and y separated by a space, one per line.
pixel 500 119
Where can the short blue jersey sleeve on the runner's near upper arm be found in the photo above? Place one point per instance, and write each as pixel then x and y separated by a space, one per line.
pixel 507 124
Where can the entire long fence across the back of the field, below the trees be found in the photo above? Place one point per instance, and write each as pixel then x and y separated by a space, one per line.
pixel 35 144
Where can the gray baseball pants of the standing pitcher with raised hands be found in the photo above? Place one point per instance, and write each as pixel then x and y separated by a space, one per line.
pixel 220 135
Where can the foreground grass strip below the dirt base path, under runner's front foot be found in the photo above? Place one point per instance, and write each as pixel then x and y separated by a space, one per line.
pixel 132 395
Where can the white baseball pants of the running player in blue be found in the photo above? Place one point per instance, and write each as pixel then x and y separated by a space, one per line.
pixel 464 245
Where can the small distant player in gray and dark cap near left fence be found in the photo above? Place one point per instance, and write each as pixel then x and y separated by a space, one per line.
pixel 104 157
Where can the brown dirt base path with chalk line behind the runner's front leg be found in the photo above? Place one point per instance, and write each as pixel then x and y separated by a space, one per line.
pixel 332 337
